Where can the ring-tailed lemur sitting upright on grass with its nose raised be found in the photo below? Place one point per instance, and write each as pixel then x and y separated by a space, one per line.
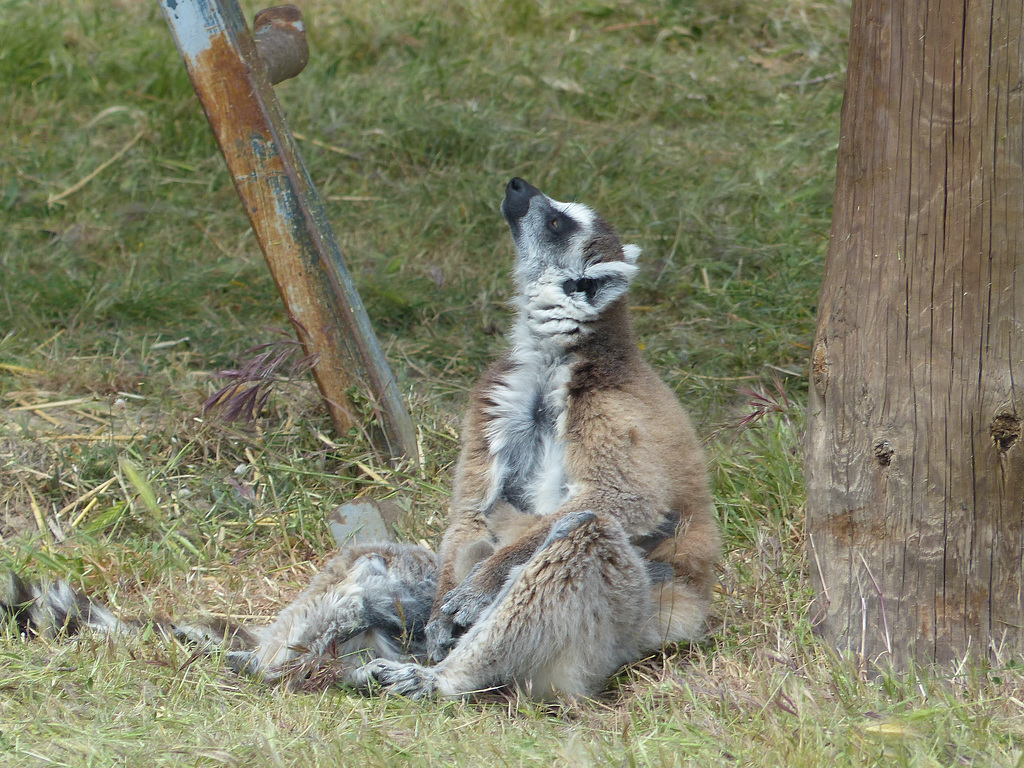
pixel 582 533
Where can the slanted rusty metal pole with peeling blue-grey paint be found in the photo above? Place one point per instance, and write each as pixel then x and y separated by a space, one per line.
pixel 234 84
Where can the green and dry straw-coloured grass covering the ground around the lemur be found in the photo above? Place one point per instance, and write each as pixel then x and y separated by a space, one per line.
pixel 705 132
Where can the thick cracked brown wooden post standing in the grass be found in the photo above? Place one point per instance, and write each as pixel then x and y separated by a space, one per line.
pixel 915 458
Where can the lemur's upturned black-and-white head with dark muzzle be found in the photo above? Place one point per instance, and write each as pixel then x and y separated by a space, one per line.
pixel 572 265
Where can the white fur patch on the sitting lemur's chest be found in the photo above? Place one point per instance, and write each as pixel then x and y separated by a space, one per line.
pixel 526 434
